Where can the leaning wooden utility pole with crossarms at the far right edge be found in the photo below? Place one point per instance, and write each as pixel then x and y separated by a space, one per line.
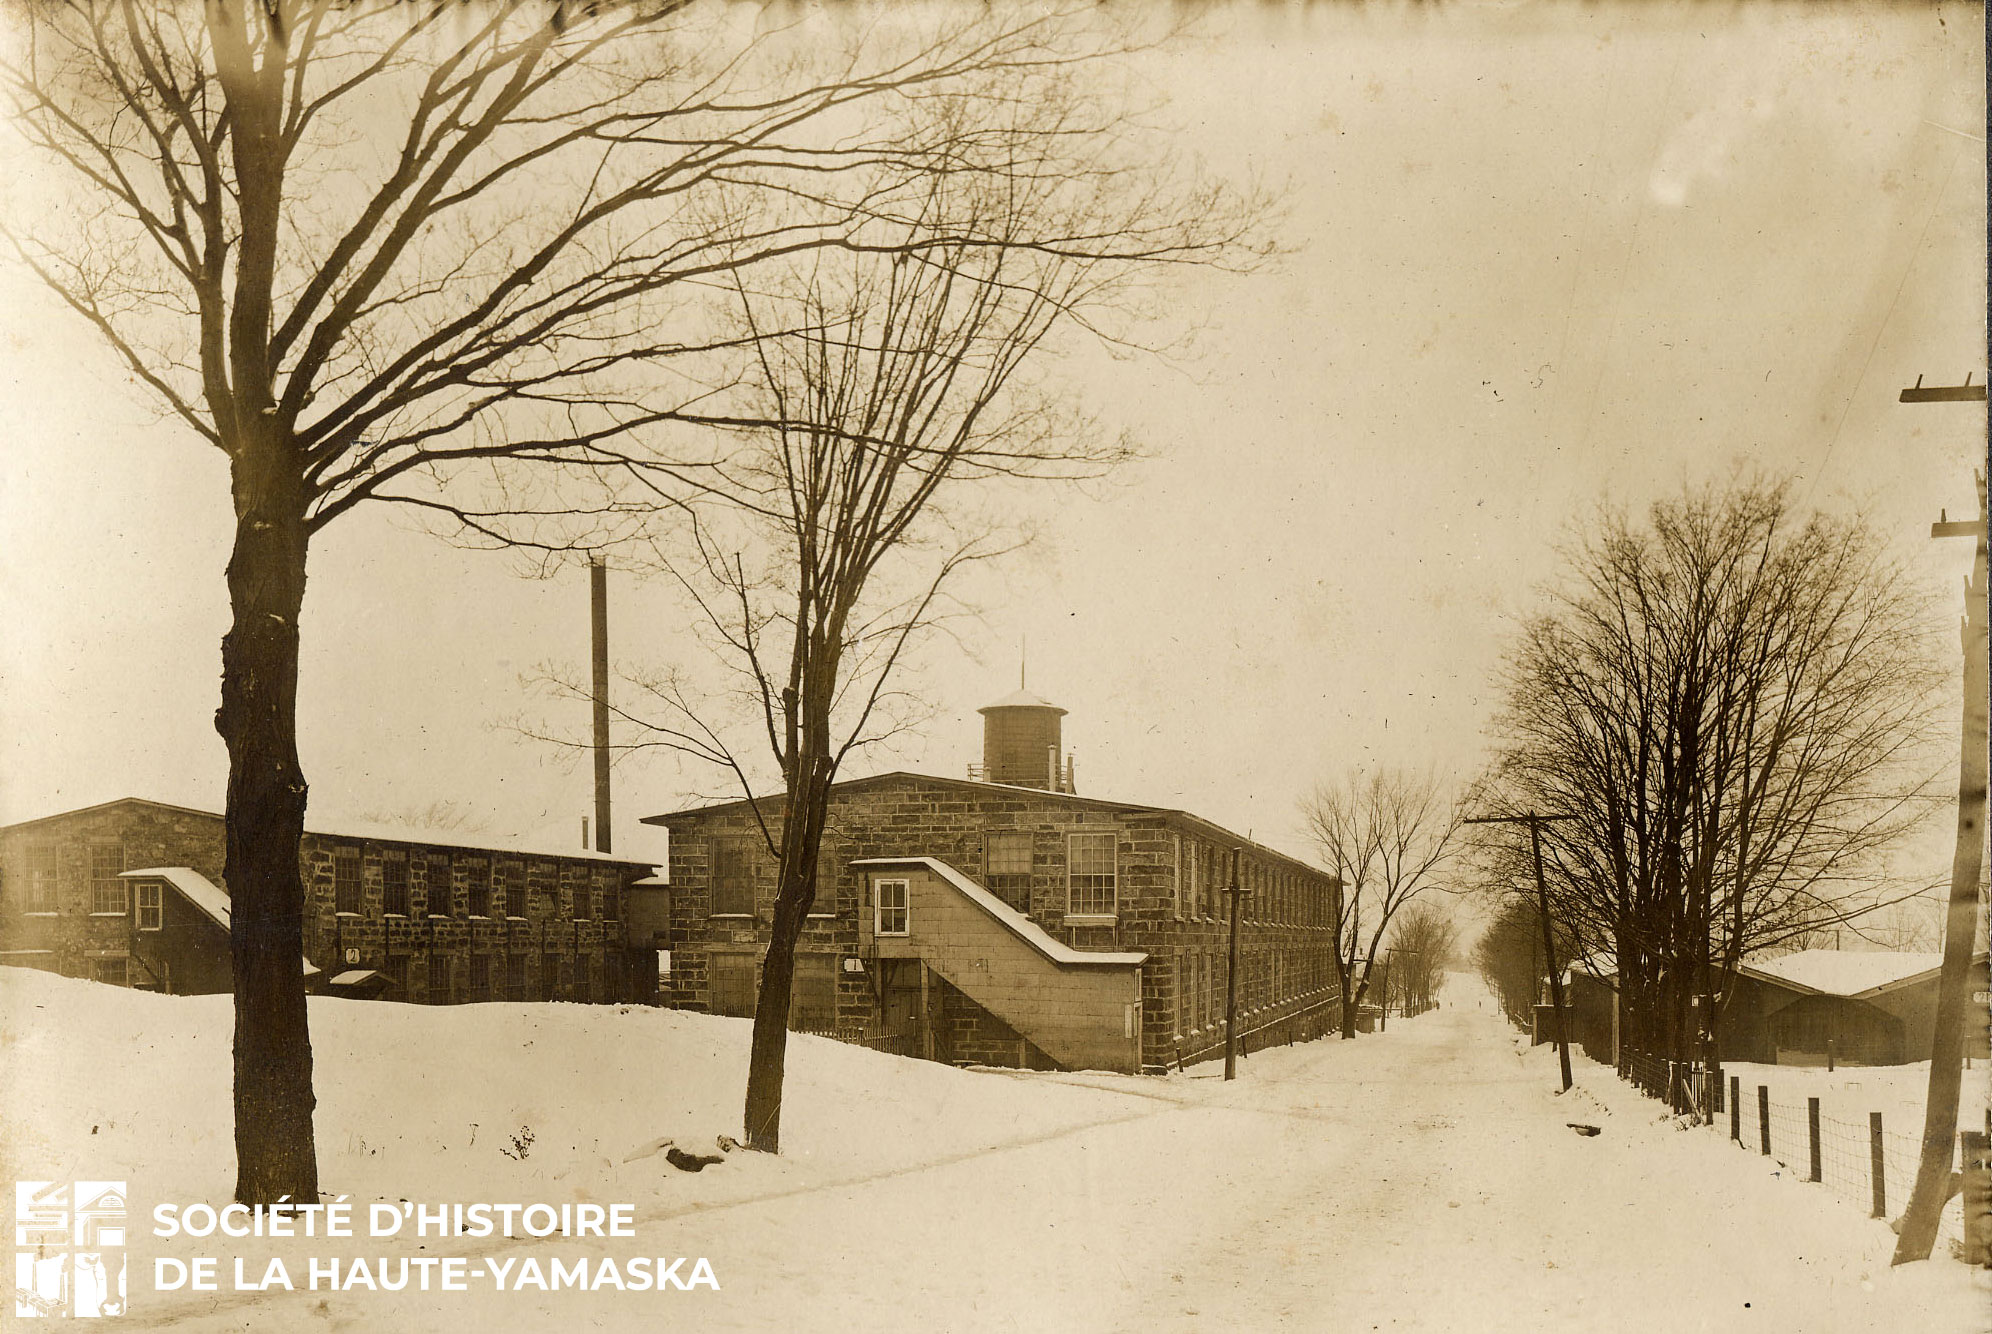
pixel 1961 927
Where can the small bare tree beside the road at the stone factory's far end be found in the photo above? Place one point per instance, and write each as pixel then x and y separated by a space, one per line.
pixel 1387 835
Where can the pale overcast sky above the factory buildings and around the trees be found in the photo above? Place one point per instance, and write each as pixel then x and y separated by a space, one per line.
pixel 1541 256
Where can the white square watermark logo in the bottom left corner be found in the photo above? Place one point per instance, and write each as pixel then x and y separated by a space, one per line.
pixel 69 1249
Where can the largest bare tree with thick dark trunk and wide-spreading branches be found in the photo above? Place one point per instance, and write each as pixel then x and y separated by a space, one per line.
pixel 389 254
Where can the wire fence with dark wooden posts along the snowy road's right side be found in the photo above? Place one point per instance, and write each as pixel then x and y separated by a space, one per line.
pixel 1867 1166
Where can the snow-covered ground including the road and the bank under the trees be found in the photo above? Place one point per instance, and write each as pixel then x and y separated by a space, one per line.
pixel 1421 1180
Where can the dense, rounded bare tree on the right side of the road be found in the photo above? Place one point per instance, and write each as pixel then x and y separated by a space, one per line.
pixel 1732 704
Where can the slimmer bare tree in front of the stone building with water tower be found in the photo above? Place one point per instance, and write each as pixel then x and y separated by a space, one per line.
pixel 879 393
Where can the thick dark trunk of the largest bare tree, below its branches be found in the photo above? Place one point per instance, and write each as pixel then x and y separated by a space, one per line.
pixel 276 1154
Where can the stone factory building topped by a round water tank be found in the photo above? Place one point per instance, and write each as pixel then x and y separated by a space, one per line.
pixel 1005 919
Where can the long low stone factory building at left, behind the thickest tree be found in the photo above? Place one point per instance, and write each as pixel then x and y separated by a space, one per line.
pixel 132 893
